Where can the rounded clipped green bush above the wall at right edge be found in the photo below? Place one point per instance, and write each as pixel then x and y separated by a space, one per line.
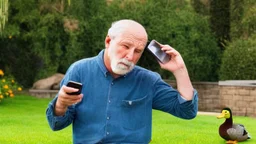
pixel 239 60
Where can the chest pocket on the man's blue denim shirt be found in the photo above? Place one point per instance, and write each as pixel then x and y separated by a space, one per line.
pixel 134 113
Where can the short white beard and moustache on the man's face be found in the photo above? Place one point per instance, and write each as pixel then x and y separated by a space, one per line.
pixel 120 66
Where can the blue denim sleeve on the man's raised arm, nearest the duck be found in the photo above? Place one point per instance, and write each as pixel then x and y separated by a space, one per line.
pixel 169 100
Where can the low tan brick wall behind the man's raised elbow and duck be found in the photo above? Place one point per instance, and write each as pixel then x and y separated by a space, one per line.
pixel 240 96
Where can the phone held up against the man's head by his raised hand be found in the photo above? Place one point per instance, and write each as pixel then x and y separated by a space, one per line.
pixel 155 49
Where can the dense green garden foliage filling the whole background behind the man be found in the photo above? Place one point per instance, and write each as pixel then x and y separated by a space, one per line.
pixel 217 38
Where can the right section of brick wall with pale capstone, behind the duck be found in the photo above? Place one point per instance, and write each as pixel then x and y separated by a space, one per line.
pixel 240 96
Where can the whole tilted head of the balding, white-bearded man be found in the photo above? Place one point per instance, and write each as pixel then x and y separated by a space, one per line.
pixel 124 44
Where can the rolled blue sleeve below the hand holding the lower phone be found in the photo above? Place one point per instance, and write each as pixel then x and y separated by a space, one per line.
pixel 59 122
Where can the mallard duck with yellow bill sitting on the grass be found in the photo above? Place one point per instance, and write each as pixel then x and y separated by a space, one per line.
pixel 229 131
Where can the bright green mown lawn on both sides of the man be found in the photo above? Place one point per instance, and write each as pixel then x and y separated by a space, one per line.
pixel 23 121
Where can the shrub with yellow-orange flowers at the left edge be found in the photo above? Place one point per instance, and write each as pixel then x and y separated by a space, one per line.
pixel 8 86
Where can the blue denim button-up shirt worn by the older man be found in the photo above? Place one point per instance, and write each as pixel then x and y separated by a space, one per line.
pixel 117 110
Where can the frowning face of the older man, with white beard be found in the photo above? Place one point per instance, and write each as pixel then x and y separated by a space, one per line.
pixel 124 52
